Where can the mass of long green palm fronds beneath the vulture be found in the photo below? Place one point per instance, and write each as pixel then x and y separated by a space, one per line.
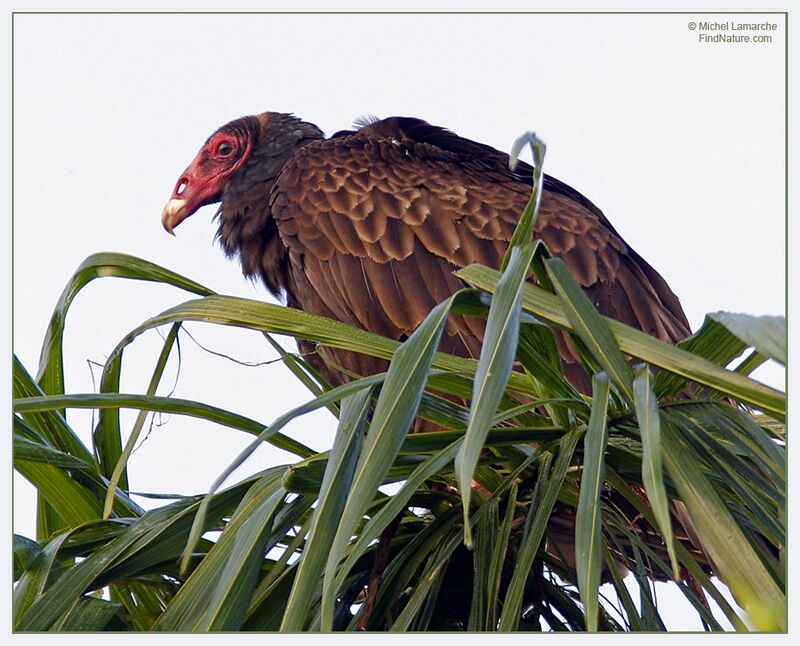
pixel 730 465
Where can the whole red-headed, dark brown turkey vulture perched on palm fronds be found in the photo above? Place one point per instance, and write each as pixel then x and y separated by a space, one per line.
pixel 367 227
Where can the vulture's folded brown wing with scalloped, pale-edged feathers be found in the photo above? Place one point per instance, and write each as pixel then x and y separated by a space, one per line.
pixel 377 220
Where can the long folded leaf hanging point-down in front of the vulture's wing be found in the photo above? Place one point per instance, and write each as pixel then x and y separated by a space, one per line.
pixel 494 367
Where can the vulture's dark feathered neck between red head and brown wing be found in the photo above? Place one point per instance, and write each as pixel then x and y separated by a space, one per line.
pixel 246 226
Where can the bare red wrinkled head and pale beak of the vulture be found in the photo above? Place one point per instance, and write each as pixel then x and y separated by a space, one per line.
pixel 204 180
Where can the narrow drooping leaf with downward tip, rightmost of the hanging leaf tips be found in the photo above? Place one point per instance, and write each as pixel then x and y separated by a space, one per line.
pixel 646 406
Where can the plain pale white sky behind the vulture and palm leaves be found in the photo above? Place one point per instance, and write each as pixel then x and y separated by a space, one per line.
pixel 680 143
